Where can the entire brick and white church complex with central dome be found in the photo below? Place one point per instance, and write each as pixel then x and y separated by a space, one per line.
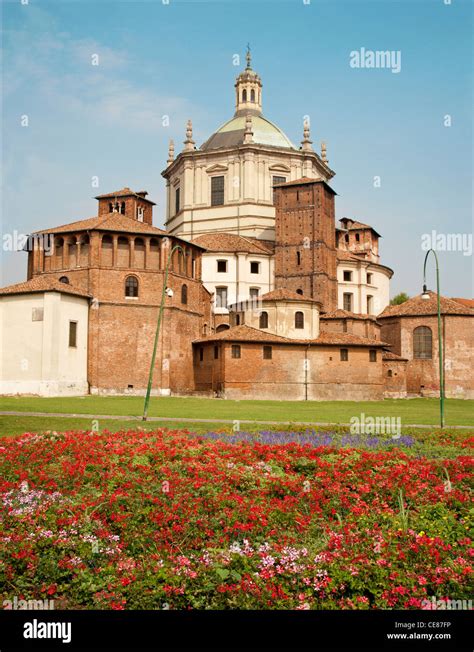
pixel 264 295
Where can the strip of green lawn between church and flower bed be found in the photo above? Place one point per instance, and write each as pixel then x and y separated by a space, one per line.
pixel 412 411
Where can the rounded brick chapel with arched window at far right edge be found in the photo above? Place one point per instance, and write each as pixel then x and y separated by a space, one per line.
pixel 411 329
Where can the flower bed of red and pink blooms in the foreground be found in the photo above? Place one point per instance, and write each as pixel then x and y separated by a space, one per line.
pixel 157 520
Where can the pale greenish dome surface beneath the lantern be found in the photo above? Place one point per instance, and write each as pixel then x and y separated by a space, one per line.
pixel 231 134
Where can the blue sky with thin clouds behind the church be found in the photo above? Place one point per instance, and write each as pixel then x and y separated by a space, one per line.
pixel 176 59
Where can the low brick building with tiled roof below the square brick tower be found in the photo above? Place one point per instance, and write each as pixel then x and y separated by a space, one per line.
pixel 245 362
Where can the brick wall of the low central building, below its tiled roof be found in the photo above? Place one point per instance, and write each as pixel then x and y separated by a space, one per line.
pixel 287 376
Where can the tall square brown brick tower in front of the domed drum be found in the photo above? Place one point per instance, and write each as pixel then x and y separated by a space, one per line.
pixel 305 248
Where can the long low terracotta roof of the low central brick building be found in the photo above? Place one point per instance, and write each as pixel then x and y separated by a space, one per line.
pixel 248 334
